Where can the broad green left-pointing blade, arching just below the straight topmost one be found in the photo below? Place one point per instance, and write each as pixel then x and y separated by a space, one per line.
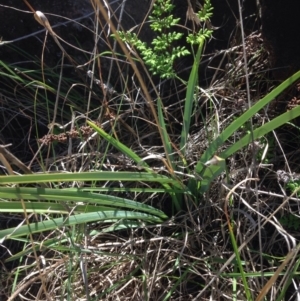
pixel 65 195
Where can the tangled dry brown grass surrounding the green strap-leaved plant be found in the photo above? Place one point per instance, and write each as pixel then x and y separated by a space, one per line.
pixel 190 257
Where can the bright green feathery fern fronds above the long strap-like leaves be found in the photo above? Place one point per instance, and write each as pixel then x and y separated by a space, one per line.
pixel 162 52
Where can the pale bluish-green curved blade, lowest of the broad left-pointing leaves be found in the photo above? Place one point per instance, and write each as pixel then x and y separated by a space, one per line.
pixel 49 225
